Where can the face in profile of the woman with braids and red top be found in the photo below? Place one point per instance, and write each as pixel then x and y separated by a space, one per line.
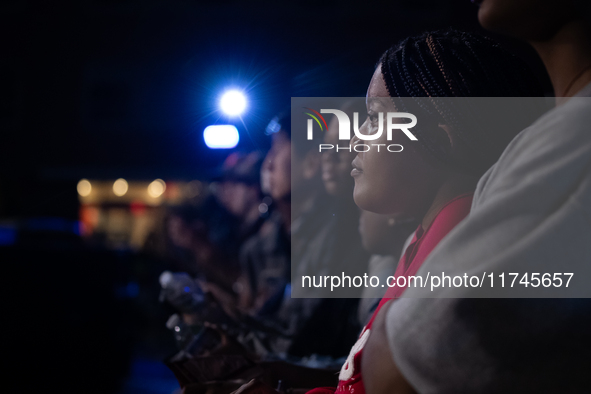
pixel 392 182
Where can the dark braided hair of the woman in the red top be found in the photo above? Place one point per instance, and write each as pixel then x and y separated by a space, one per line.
pixel 451 63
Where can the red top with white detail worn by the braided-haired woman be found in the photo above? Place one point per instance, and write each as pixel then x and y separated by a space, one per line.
pixel 422 244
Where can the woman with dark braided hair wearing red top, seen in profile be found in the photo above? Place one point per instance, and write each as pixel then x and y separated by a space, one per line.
pixel 434 178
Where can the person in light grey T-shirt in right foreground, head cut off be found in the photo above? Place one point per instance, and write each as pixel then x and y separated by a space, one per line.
pixel 531 213
